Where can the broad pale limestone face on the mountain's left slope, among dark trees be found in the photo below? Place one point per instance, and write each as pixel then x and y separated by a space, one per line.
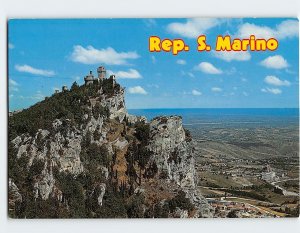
pixel 62 150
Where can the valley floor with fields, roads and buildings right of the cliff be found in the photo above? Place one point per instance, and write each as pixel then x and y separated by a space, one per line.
pixel 249 172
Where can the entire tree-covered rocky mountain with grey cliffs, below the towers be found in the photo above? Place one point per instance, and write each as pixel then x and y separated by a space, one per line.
pixel 88 159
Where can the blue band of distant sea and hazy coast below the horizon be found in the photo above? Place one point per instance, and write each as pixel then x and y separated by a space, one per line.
pixel 228 117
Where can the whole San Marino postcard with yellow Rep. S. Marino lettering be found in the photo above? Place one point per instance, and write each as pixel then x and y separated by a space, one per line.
pixel 153 118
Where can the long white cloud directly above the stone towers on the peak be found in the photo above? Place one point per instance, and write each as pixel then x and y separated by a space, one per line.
pixel 108 56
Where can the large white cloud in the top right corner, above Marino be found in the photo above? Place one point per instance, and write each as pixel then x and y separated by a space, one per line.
pixel 286 29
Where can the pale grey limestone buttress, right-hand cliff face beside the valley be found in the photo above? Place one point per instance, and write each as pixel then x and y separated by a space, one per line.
pixel 174 157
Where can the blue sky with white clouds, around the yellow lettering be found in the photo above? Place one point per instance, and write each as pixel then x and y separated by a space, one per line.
pixel 46 54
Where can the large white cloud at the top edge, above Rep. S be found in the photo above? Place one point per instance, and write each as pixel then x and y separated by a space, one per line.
pixel 192 28
